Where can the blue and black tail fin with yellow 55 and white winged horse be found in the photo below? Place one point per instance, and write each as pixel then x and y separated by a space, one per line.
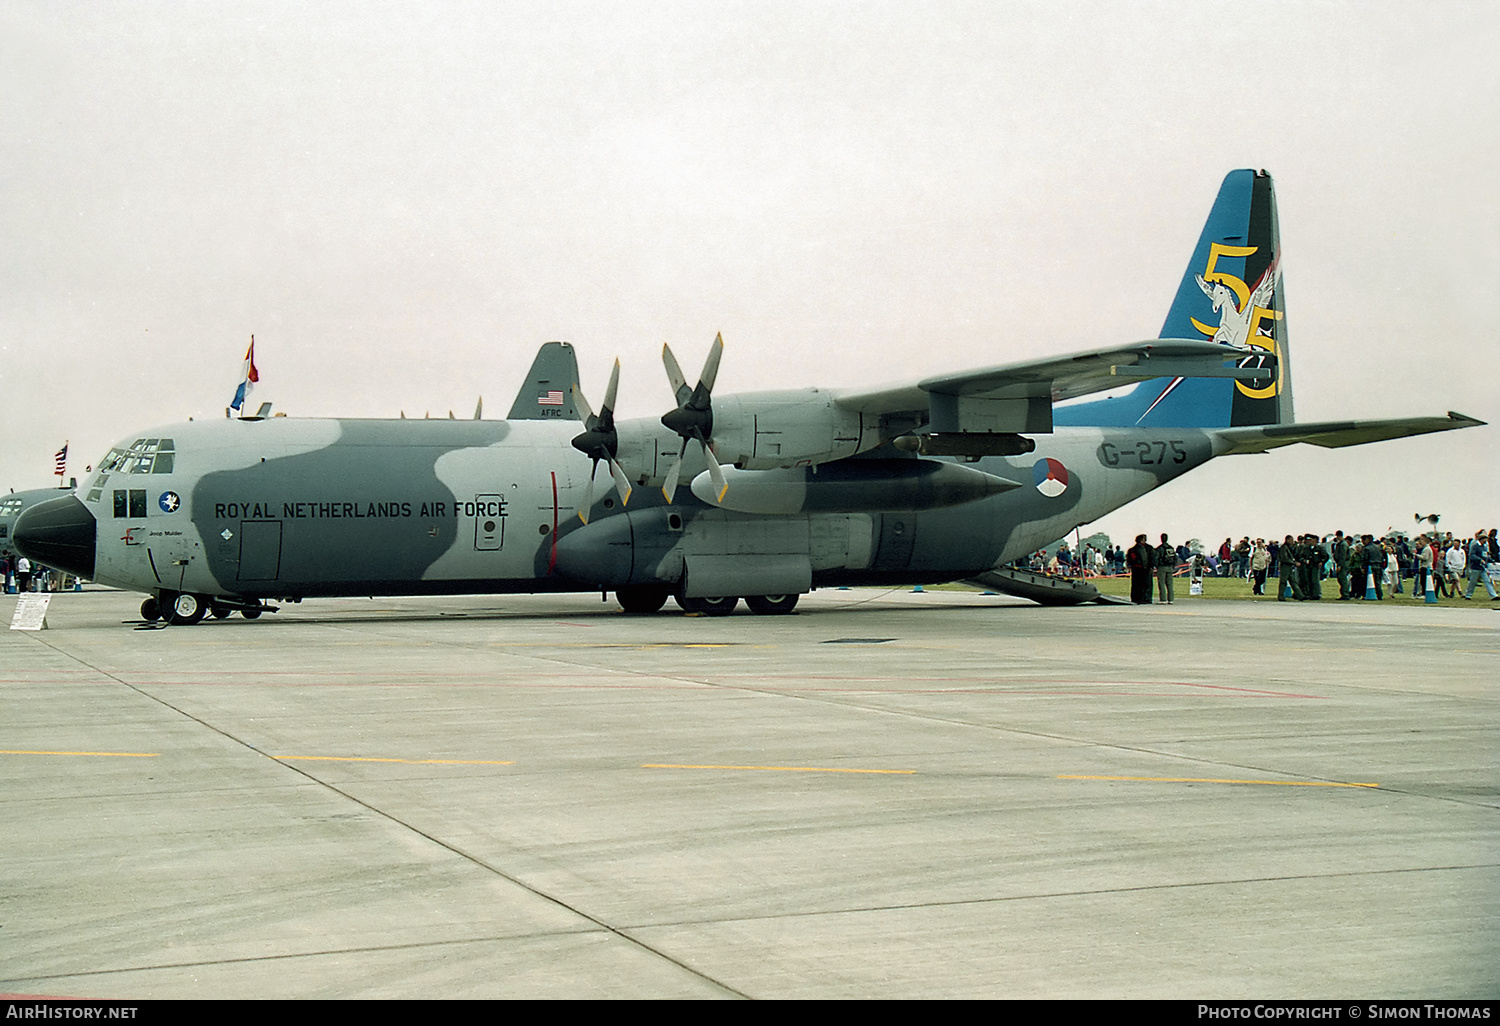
pixel 1231 293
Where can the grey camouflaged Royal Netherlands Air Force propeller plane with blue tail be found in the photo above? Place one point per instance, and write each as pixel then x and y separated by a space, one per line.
pixel 934 481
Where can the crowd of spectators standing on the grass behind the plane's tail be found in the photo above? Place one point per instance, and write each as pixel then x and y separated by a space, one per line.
pixel 1363 565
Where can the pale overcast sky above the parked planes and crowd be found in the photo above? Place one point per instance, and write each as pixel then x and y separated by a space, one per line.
pixel 404 200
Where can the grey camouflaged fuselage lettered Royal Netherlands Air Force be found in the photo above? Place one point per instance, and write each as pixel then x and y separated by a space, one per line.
pixel 290 509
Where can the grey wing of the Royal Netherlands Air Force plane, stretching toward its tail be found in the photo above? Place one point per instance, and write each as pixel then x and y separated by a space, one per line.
pixel 1019 397
